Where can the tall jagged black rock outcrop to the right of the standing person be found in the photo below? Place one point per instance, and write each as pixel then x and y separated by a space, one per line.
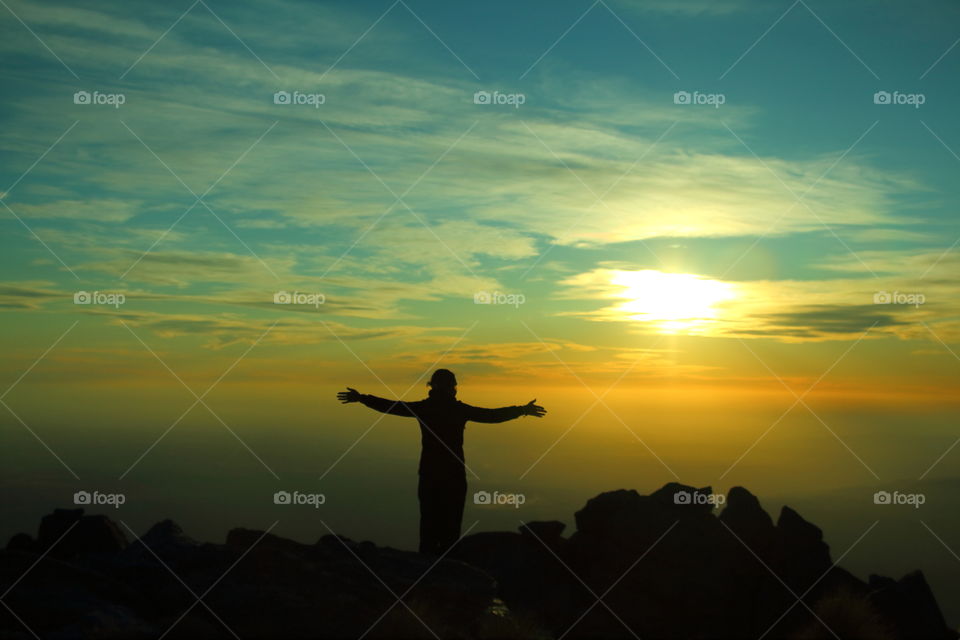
pixel 668 567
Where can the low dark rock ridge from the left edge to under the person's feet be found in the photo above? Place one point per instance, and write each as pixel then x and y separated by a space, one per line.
pixel 256 584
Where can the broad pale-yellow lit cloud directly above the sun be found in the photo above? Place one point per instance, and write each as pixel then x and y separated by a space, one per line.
pixel 675 193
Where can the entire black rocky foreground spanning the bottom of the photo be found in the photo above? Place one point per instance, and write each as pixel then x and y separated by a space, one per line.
pixel 636 567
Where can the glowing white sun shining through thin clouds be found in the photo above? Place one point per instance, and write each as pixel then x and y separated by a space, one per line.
pixel 674 302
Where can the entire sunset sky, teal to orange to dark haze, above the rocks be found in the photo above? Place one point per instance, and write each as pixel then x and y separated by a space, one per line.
pixel 717 240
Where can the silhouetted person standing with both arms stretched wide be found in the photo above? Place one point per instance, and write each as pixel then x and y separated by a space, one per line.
pixel 443 481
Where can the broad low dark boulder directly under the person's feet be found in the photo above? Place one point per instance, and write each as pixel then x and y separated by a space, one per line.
pixel 346 584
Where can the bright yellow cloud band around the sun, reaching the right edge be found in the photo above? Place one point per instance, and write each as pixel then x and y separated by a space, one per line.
pixel 786 310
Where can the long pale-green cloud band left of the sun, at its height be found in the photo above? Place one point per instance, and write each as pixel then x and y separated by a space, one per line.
pixel 405 263
